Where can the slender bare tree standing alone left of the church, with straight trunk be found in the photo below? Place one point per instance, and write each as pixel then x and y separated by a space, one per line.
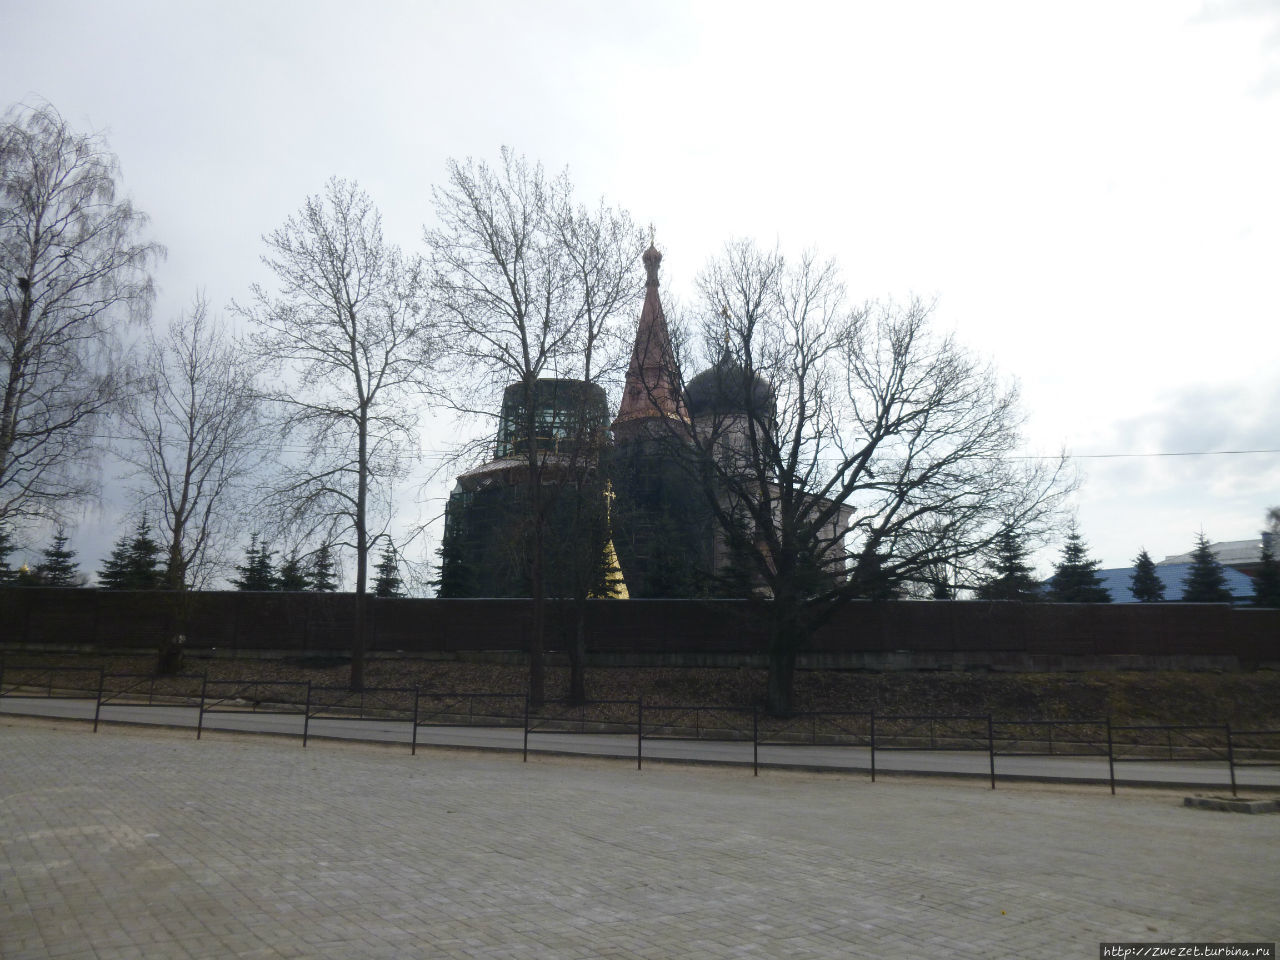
pixel 349 326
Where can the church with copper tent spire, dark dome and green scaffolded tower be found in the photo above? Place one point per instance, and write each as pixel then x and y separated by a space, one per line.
pixel 627 508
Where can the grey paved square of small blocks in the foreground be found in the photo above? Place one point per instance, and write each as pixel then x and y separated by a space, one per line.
pixel 149 844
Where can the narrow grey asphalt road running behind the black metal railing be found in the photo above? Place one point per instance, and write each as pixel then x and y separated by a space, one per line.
pixel 976 764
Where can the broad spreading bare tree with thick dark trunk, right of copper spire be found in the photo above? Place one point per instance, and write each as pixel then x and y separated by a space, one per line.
pixel 847 452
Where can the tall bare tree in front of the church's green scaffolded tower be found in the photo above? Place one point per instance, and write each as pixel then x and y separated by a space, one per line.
pixel 531 284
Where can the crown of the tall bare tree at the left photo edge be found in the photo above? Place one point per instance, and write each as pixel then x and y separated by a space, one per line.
pixel 74 269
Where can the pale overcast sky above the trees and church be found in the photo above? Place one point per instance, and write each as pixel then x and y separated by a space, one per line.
pixel 1091 191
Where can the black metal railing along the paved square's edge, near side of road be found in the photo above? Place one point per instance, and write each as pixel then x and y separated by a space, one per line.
pixel 621 720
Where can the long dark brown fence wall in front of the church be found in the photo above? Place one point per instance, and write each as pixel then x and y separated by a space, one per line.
pixel 903 636
